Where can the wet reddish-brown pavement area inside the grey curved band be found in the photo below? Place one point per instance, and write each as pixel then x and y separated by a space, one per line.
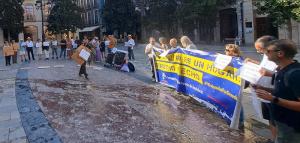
pixel 87 112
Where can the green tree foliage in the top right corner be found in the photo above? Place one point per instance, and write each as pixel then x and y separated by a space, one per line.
pixel 282 11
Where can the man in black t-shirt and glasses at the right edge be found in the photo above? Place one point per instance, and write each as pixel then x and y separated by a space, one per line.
pixel 285 97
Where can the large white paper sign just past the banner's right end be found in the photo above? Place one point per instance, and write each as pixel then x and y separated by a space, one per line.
pixel 250 72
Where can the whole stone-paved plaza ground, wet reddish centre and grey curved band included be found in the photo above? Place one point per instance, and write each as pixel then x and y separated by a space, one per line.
pixel 111 107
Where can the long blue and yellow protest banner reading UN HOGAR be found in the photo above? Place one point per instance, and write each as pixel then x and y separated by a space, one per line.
pixel 192 72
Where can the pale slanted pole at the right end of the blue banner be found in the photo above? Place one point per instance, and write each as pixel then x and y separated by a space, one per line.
pixel 237 111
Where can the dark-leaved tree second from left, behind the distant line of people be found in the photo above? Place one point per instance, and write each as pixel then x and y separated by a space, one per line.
pixel 65 16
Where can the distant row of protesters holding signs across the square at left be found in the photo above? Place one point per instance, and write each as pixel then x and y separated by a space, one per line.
pixel 50 48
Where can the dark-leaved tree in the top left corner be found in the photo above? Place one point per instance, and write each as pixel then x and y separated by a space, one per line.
pixel 11 15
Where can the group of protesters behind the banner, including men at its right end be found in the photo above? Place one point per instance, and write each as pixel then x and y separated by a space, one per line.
pixel 280 87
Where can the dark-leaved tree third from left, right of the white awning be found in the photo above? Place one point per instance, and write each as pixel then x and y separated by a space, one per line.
pixel 120 15
